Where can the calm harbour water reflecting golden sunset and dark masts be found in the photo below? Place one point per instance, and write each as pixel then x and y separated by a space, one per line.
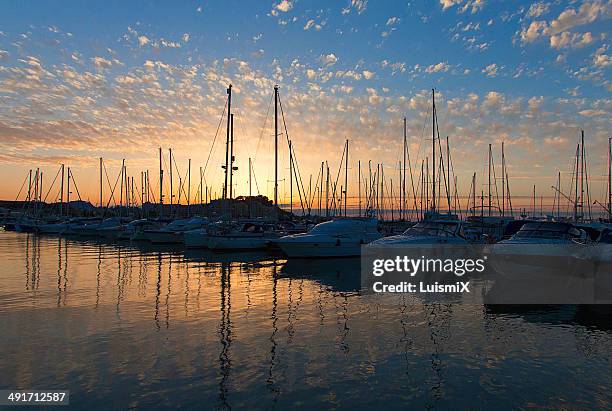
pixel 122 327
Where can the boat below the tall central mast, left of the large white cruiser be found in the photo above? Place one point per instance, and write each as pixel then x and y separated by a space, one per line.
pixel 246 236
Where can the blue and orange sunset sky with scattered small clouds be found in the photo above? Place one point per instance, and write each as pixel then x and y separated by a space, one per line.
pixel 118 80
